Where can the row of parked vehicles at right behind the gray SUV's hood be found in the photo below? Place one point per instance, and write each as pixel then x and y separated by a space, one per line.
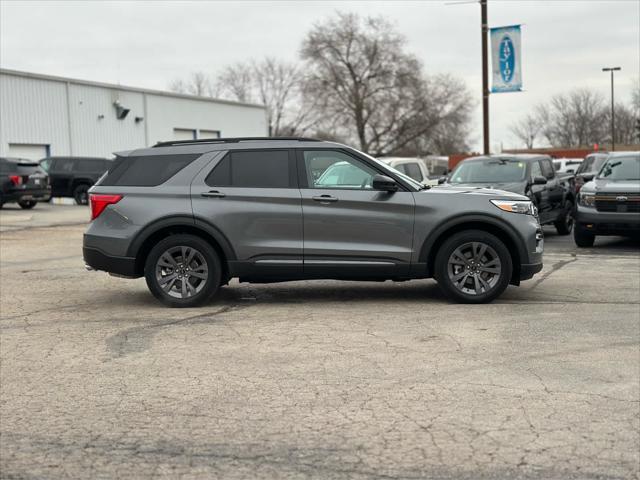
pixel 601 198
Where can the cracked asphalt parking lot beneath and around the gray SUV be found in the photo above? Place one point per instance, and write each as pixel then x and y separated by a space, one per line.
pixel 315 380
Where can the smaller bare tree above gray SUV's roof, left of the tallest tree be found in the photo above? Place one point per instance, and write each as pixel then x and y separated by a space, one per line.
pixel 277 85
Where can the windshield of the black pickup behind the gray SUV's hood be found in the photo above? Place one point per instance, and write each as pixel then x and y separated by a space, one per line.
pixel 489 170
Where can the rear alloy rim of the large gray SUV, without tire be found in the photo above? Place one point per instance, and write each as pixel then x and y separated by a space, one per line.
pixel 181 271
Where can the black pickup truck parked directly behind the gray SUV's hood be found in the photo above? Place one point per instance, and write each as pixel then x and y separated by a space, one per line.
pixel 531 175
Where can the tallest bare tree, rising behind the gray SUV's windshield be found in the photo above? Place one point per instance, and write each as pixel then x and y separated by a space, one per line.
pixel 373 92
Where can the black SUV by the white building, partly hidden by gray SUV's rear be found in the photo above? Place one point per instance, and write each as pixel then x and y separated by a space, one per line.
pixel 73 176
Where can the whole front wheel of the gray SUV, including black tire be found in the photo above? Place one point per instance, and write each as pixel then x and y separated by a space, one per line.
pixel 446 272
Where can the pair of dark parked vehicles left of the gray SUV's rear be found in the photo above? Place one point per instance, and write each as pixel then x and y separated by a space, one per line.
pixel 28 182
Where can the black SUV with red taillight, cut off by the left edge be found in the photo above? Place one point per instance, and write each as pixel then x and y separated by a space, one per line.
pixel 23 181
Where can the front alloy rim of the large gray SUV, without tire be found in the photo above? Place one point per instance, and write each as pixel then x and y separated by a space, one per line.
pixel 474 268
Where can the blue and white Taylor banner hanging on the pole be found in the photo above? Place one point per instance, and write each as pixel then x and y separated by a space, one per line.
pixel 506 60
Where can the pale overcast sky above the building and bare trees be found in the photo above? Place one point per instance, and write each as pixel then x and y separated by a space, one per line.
pixel 565 44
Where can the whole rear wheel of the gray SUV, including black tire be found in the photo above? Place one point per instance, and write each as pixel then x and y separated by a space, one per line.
pixel 203 288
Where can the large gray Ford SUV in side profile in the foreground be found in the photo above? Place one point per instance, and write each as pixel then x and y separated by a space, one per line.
pixel 189 216
